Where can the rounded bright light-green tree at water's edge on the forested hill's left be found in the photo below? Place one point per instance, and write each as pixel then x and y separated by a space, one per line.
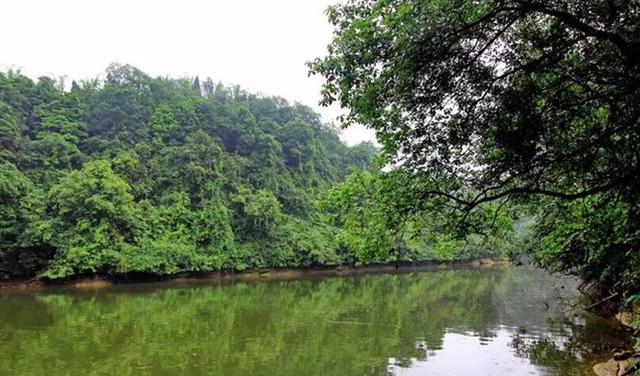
pixel 96 221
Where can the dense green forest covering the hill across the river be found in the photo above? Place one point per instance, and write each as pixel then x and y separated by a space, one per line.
pixel 132 174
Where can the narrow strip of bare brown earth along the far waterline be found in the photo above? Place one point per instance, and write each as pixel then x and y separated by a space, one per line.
pixel 103 281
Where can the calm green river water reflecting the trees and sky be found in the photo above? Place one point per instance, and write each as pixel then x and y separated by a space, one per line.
pixel 499 321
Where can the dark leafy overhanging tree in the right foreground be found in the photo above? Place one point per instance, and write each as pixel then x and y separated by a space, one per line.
pixel 535 102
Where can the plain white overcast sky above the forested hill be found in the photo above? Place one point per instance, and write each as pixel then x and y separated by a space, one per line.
pixel 262 45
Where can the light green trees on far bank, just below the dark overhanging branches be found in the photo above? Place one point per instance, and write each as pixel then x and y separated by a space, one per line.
pixel 373 224
